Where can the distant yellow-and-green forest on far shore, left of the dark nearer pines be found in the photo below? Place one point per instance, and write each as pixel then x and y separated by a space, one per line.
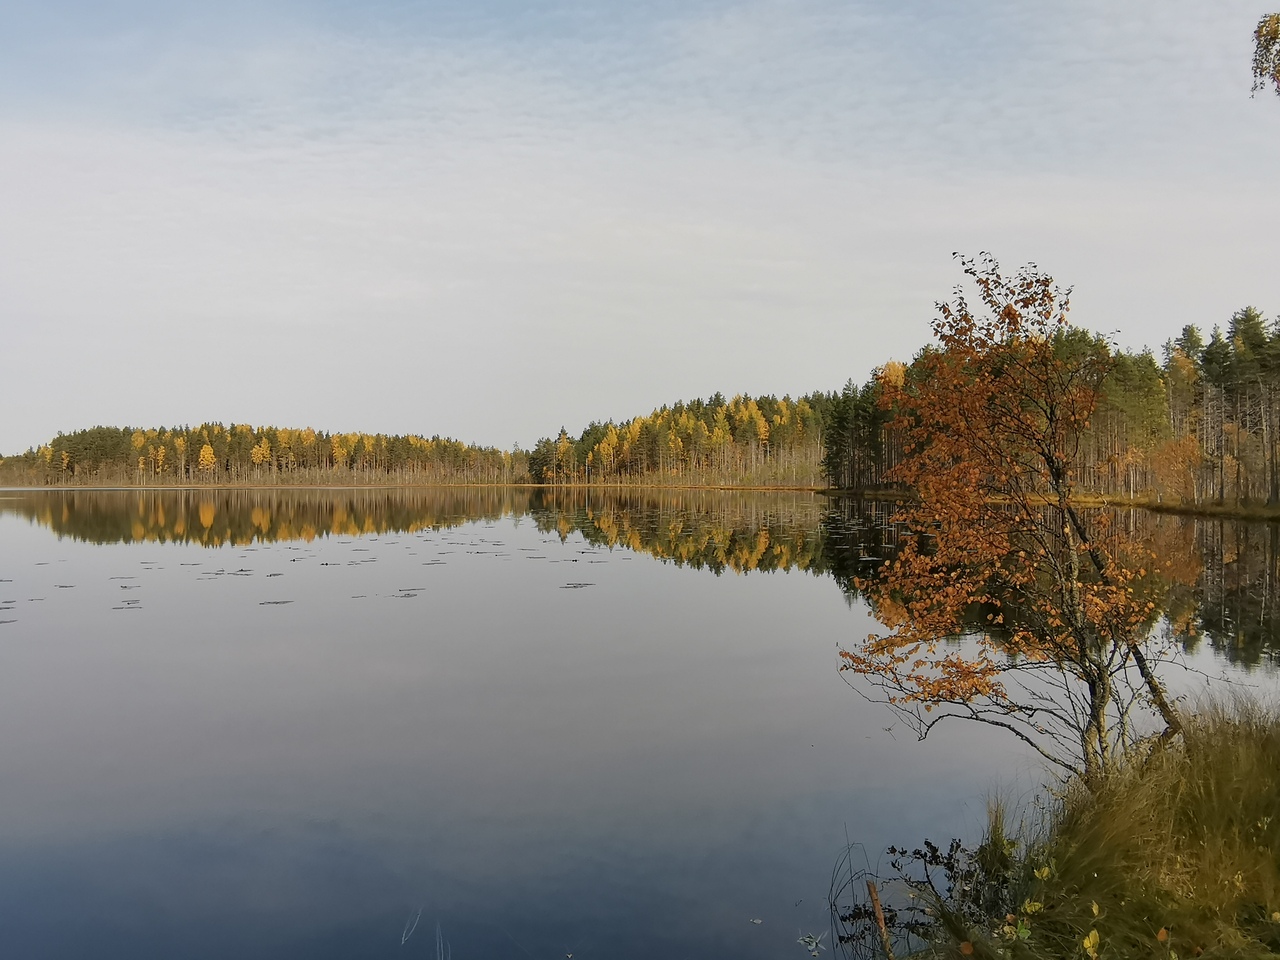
pixel 744 441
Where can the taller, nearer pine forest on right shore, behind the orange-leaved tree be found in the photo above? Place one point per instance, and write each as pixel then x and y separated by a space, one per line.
pixel 1197 427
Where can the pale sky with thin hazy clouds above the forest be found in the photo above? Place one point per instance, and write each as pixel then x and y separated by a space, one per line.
pixel 488 221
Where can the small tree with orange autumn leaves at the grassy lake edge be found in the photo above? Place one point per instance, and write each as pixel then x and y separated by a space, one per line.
pixel 1009 605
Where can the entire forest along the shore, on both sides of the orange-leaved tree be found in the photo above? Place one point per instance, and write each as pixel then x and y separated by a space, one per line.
pixel 1199 426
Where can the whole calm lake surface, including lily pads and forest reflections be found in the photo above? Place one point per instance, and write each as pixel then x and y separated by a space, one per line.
pixel 287 724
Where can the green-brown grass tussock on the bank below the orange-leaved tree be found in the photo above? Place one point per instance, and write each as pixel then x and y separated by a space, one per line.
pixel 1178 856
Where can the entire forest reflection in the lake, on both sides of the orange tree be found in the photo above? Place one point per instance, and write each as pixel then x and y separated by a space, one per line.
pixel 1218 586
